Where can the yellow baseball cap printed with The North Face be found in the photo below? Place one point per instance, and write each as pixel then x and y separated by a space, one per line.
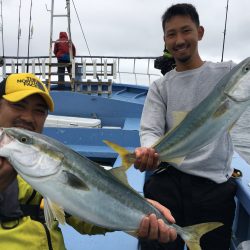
pixel 19 86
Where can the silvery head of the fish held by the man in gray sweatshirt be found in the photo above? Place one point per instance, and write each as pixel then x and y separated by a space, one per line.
pixel 238 88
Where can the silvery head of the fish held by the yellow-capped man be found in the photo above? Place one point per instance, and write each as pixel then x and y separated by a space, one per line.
pixel 29 154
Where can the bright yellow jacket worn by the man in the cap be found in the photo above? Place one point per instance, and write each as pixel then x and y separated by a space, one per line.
pixel 26 233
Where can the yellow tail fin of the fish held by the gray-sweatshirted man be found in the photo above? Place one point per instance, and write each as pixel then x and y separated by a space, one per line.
pixel 128 158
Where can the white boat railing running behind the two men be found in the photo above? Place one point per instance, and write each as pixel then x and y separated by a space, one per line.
pixel 85 69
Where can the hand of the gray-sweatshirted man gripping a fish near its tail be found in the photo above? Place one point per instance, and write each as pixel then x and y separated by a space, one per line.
pixel 146 159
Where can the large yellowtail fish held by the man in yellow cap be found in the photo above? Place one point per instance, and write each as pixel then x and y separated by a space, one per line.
pixel 72 183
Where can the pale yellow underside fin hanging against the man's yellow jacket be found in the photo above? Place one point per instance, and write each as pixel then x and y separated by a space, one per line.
pixel 53 211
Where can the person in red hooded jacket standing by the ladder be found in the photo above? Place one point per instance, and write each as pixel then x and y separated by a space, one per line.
pixel 62 52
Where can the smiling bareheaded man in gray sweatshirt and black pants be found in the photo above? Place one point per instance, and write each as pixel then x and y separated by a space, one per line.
pixel 200 189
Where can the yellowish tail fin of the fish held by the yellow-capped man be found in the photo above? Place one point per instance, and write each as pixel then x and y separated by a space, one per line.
pixel 192 234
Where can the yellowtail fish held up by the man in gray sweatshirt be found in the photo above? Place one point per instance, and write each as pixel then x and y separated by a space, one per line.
pixel 217 113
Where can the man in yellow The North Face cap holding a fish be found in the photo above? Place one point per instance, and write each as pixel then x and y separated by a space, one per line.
pixel 24 103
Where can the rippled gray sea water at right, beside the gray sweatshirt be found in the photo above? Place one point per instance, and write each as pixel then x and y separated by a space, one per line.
pixel 241 136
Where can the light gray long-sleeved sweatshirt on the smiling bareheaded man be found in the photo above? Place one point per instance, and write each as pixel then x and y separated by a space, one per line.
pixel 182 91
